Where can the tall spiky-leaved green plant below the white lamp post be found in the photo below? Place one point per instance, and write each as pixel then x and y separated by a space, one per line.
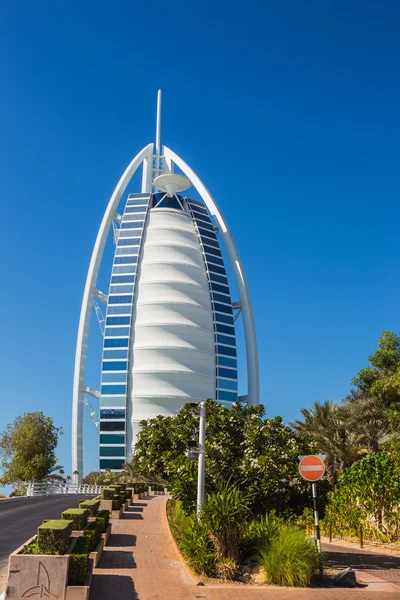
pixel 222 514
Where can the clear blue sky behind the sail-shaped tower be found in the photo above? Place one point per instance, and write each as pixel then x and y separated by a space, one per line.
pixel 289 111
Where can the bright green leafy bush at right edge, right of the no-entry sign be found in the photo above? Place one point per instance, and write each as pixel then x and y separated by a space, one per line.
pixel 368 493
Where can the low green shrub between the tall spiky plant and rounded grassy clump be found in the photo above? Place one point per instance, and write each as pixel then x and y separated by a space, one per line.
pixel 255 536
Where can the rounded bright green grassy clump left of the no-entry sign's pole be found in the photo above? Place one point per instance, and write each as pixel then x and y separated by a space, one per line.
pixel 291 558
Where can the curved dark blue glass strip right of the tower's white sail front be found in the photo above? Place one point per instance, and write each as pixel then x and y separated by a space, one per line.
pixel 224 329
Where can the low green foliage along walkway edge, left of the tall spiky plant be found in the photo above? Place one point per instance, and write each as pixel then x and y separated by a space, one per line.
pixel 192 538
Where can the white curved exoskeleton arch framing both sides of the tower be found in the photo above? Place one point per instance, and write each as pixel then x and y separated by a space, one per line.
pixel 163 163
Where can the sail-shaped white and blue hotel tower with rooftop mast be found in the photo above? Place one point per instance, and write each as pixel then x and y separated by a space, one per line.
pixel 169 319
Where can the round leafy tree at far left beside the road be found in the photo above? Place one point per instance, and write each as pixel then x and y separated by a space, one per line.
pixel 27 450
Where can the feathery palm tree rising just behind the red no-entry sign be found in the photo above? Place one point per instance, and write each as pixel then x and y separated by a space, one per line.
pixel 325 425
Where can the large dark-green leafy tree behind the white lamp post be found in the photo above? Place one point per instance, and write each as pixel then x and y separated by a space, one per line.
pixel 258 454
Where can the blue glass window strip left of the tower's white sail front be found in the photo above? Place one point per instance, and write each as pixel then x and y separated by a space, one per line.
pixel 117 334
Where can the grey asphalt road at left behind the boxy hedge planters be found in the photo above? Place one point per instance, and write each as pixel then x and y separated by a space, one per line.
pixel 20 518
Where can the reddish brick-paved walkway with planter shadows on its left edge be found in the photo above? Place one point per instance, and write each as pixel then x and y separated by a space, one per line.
pixel 141 564
